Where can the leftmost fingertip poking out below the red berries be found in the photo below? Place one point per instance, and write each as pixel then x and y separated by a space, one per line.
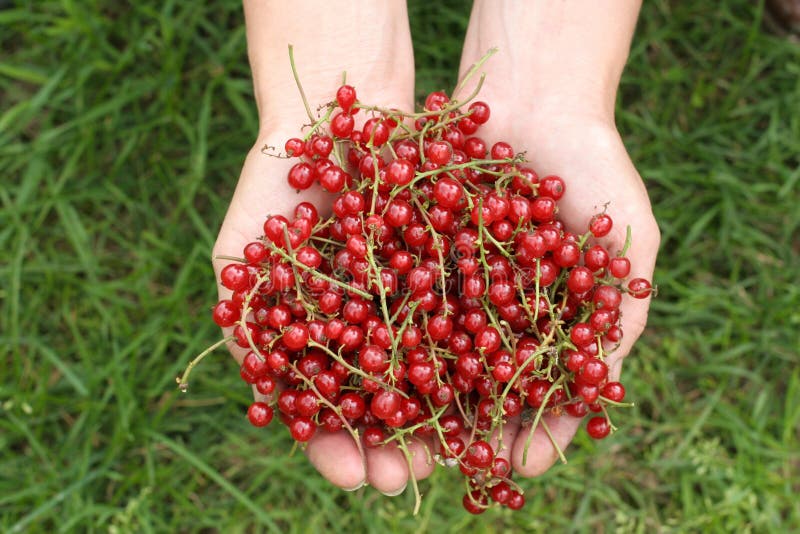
pixel 336 457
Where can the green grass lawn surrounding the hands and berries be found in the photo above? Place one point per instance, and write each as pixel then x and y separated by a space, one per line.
pixel 122 130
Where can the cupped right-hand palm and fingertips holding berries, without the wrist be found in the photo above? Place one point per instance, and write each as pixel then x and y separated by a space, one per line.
pixel 586 151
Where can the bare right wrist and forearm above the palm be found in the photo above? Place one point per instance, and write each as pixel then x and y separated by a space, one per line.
pixel 554 57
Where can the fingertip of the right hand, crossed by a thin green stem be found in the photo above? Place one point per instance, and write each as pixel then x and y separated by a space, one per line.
pixel 541 453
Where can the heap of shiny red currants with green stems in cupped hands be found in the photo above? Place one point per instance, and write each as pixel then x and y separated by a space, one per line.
pixel 442 297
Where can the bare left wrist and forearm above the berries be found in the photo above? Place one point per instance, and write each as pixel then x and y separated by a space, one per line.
pixel 369 41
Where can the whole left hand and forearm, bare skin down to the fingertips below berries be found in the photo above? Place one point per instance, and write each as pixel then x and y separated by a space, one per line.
pixel 371 41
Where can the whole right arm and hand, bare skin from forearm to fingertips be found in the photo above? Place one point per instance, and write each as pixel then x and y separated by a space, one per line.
pixel 552 88
